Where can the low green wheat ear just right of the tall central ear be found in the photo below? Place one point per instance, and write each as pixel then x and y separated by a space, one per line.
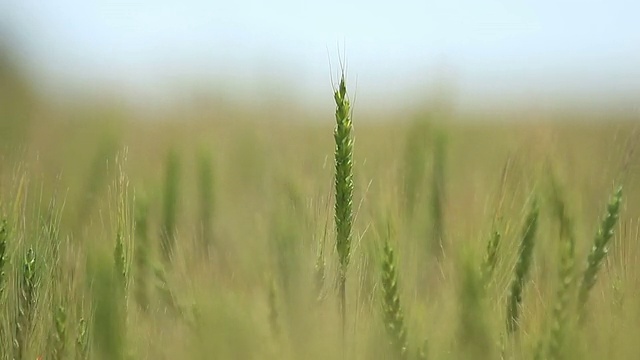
pixel 393 315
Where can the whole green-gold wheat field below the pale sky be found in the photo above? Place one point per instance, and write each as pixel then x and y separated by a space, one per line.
pixel 217 231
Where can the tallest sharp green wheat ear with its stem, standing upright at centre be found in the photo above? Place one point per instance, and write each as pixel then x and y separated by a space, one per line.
pixel 343 188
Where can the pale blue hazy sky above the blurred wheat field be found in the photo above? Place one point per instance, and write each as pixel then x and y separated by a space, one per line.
pixel 487 49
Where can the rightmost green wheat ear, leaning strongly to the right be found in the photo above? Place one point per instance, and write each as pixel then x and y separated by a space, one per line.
pixel 599 249
